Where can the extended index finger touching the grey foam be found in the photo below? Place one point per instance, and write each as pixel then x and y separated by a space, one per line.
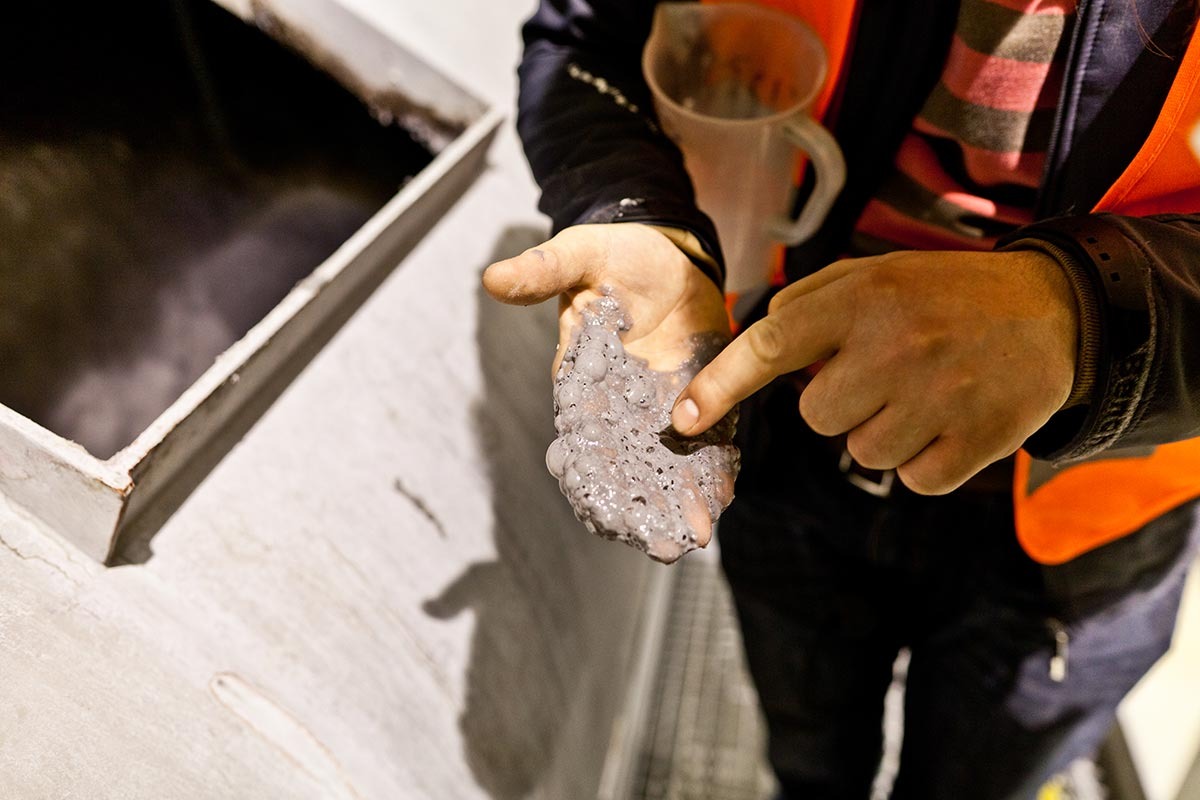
pixel 788 340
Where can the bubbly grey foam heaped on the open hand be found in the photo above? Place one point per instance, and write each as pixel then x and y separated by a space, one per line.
pixel 627 474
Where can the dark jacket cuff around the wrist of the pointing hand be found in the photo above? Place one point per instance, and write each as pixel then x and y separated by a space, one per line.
pixel 1107 267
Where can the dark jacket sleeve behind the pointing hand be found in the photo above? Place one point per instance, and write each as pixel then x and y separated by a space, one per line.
pixel 1144 273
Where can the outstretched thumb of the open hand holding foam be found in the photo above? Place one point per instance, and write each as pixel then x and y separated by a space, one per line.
pixel 548 270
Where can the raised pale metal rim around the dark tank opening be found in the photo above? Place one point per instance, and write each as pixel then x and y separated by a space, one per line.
pixel 93 503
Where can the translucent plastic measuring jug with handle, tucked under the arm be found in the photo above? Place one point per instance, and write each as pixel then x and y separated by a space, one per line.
pixel 733 86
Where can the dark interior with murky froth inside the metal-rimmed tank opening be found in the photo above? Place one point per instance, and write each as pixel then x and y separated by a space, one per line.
pixel 167 175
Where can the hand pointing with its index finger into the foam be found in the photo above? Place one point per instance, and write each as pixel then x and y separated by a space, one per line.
pixel 938 364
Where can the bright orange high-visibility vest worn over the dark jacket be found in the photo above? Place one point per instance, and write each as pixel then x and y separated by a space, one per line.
pixel 1064 513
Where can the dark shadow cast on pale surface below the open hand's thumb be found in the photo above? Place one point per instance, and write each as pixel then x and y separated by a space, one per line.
pixel 527 651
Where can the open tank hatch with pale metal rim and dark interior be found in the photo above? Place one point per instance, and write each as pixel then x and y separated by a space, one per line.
pixel 194 199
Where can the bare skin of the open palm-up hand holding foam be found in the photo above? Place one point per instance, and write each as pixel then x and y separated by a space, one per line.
pixel 665 294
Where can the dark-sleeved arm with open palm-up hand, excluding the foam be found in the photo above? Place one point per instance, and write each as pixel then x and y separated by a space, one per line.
pixel 590 133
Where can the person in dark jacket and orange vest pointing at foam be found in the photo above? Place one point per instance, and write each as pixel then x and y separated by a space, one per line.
pixel 968 422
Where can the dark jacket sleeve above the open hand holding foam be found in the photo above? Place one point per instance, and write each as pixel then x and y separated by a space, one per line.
pixel 589 127
